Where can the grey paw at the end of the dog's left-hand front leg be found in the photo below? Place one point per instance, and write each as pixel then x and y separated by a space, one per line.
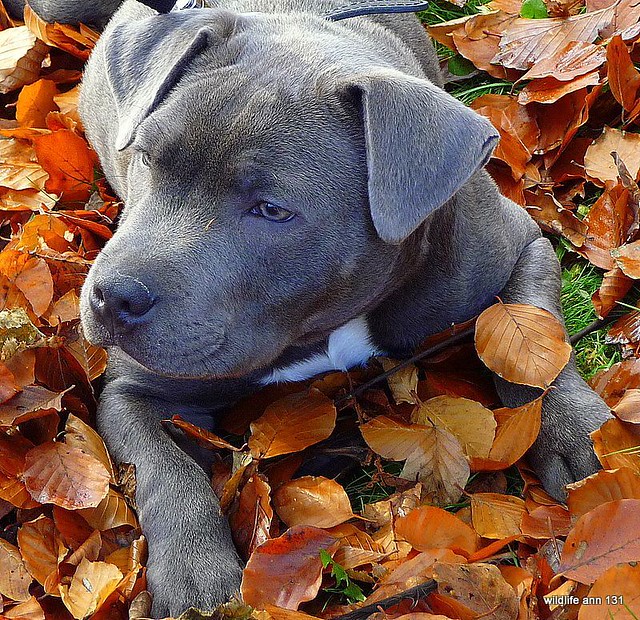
pixel 192 574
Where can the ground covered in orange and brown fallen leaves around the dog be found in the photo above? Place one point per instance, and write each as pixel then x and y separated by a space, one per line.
pixel 443 493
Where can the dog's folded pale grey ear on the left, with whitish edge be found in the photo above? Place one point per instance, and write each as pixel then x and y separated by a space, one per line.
pixel 145 59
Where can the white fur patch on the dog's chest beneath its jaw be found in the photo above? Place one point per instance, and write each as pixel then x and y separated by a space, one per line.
pixel 348 346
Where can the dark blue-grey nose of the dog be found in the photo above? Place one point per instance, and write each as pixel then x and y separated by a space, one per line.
pixel 122 303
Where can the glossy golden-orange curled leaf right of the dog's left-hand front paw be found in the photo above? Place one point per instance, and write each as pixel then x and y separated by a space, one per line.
pixel 312 500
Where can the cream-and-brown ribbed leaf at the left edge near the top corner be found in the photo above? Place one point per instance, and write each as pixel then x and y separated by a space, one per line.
pixel 21 56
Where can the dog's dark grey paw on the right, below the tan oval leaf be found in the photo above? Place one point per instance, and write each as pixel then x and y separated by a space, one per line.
pixel 563 452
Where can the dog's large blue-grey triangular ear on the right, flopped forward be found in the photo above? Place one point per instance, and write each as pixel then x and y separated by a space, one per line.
pixel 422 146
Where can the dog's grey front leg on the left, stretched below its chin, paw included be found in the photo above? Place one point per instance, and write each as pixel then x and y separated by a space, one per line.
pixel 192 560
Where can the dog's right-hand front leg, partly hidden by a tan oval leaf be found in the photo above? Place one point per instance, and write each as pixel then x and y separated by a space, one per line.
pixel 563 451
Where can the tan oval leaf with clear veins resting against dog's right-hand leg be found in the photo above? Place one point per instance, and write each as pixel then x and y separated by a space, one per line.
pixel 522 344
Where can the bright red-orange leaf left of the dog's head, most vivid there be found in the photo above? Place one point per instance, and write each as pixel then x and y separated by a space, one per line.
pixel 69 162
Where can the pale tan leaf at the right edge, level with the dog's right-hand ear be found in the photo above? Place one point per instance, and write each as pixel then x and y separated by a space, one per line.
pixel 600 165
